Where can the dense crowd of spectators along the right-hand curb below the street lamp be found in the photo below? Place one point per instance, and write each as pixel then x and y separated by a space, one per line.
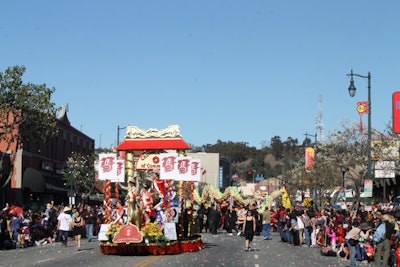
pixel 350 234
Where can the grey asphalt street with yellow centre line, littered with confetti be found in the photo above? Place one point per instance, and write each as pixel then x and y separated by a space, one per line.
pixel 220 250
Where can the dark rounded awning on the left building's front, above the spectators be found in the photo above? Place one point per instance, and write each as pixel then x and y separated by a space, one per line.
pixel 38 182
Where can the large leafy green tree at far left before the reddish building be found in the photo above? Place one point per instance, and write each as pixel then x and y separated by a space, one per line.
pixel 26 113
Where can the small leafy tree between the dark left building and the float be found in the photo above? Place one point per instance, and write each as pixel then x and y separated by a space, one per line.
pixel 80 174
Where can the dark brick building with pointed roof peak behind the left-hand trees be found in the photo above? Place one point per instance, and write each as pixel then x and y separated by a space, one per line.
pixel 37 175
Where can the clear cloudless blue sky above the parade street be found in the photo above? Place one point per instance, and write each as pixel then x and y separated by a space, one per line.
pixel 241 71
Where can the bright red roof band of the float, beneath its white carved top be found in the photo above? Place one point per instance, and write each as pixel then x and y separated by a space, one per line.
pixel 152 144
